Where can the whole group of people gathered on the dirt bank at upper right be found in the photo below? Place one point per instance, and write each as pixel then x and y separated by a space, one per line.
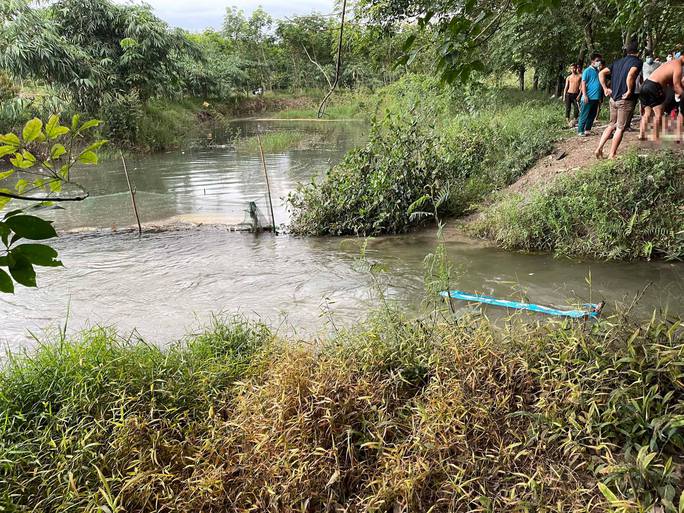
pixel 658 86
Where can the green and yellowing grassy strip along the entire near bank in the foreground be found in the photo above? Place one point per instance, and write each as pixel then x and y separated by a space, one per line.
pixel 395 415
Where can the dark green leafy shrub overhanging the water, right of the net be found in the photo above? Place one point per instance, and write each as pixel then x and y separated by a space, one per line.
pixel 371 191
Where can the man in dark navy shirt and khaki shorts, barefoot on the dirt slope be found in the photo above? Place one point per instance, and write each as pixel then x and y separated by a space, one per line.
pixel 623 75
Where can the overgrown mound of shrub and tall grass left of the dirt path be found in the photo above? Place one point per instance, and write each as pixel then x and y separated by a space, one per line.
pixel 425 157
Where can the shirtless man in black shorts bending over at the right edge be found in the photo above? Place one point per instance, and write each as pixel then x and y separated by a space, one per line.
pixel 660 89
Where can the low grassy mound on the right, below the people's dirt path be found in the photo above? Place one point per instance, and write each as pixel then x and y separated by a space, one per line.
pixel 628 209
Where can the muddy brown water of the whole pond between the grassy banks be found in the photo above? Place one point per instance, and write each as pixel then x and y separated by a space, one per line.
pixel 169 283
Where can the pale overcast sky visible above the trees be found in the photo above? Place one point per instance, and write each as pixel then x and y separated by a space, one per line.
pixel 196 15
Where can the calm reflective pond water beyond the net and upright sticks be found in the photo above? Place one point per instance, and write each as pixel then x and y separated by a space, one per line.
pixel 215 182
